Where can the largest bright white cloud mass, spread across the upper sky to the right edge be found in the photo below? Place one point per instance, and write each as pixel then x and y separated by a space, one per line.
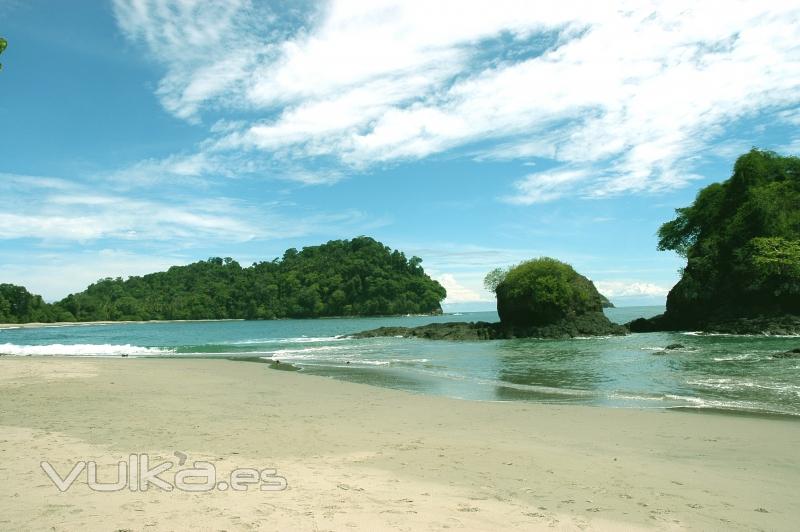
pixel 625 98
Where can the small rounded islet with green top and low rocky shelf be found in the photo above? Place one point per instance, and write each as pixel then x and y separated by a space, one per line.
pixel 540 298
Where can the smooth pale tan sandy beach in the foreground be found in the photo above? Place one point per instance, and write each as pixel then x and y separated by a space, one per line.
pixel 361 457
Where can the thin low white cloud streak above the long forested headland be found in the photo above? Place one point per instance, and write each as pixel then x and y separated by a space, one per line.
pixel 58 210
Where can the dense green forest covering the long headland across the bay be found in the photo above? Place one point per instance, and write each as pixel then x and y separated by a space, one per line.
pixel 358 277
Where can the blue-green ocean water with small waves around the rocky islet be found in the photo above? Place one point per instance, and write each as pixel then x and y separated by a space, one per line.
pixel 735 373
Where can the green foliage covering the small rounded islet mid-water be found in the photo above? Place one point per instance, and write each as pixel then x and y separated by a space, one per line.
pixel 542 291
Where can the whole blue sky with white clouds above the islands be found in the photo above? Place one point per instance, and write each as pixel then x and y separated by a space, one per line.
pixel 139 134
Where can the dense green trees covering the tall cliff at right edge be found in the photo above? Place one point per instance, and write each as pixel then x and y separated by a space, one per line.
pixel 741 239
